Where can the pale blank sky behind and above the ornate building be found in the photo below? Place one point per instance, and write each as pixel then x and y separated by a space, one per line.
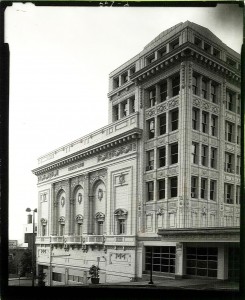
pixel 60 60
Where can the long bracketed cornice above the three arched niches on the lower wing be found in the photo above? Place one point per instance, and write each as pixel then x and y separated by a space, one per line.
pixel 121 139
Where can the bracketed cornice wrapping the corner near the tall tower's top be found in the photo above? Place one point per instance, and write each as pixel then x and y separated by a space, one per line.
pixel 184 52
